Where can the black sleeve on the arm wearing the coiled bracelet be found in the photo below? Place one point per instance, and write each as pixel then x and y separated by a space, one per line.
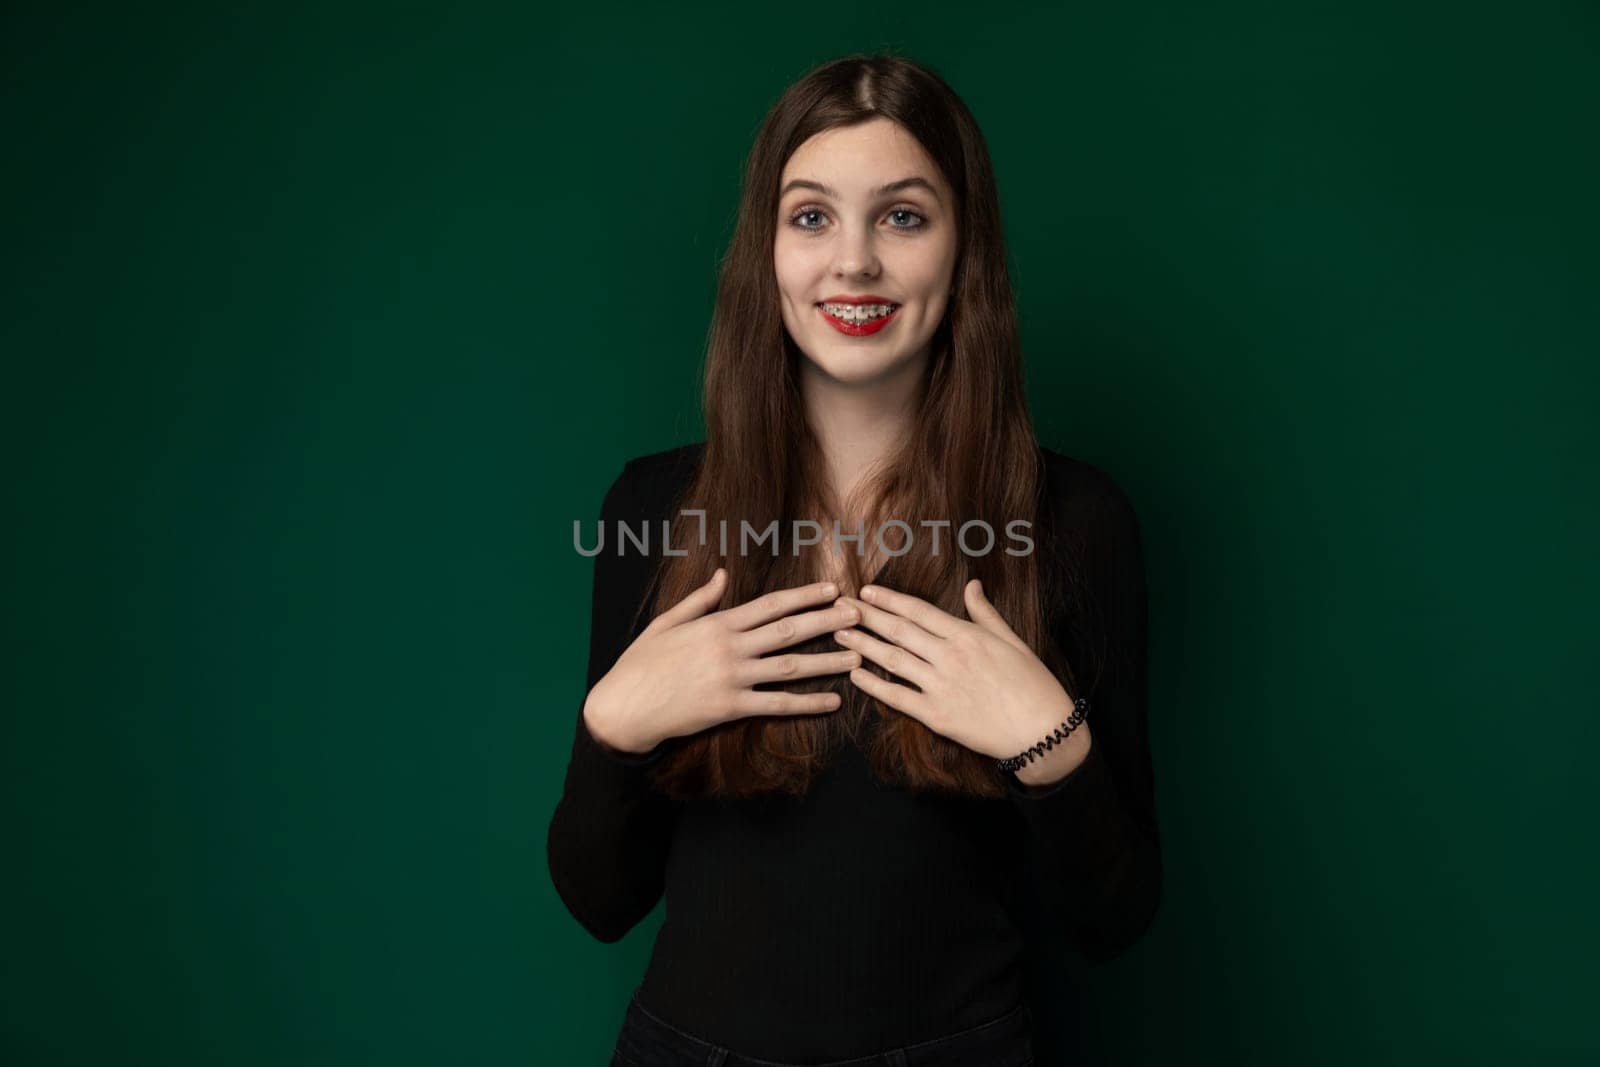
pixel 1097 828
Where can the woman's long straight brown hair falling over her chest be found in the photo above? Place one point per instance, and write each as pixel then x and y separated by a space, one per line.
pixel 969 455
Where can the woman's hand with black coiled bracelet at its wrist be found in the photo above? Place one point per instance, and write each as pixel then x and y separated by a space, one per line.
pixel 982 685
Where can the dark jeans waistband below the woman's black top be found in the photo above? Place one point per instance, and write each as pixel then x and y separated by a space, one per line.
pixel 1006 1042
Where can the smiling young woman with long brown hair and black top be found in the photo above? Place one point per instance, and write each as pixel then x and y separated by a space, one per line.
pixel 809 745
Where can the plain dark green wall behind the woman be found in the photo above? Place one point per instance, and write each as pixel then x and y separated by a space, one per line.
pixel 322 326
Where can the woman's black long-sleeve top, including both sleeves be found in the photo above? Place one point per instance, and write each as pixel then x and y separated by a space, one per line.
pixel 862 917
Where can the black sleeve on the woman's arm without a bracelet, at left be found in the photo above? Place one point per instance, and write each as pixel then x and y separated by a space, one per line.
pixel 612 829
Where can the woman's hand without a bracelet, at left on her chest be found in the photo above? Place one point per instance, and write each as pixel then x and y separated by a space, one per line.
pixel 689 671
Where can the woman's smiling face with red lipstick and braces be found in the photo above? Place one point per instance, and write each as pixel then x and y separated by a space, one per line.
pixel 865 212
